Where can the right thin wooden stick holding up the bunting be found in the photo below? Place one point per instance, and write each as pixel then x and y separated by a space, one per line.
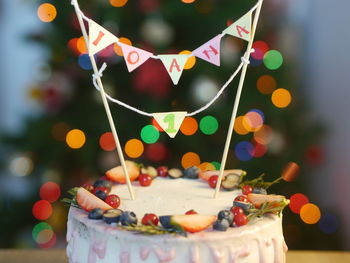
pixel 237 99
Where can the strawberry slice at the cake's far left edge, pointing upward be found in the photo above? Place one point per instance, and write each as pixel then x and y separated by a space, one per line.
pixel 89 201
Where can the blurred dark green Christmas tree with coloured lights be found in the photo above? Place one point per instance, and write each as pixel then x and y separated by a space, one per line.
pixel 69 142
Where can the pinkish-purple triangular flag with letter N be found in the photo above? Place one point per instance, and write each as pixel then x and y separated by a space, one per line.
pixel 210 51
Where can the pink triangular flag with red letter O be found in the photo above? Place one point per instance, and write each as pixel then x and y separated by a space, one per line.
pixel 134 57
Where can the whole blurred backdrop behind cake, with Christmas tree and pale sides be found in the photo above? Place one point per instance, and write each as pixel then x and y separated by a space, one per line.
pixel 294 107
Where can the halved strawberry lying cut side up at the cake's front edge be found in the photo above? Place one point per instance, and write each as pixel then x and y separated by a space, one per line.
pixel 190 223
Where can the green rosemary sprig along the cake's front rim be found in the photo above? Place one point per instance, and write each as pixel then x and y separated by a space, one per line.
pixel 154 230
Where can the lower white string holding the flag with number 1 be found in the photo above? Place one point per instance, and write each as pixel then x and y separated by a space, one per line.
pixel 206 106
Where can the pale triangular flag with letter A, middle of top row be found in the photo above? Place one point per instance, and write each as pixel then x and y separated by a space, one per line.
pixel 174 64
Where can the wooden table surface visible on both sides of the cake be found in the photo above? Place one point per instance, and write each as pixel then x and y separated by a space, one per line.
pixel 59 256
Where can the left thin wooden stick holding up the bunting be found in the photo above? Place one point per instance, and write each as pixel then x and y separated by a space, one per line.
pixel 105 103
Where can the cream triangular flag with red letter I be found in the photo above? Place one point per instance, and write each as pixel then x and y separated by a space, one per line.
pixel 99 38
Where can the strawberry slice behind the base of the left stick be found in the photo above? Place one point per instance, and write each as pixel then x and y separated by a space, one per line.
pixel 116 174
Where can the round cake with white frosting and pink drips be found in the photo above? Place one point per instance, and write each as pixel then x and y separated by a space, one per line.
pixel 260 240
